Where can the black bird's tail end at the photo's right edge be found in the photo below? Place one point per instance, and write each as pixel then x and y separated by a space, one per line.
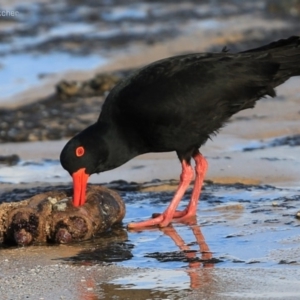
pixel 286 53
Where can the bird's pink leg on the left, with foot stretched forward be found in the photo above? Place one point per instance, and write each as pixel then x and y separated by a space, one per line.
pixel 166 217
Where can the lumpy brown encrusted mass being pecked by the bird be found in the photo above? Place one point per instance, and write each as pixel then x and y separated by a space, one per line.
pixel 51 217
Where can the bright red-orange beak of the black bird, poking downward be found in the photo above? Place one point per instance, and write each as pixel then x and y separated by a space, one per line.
pixel 80 179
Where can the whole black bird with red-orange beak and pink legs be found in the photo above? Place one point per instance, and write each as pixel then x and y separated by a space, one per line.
pixel 176 104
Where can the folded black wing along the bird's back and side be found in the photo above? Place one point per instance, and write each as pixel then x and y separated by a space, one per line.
pixel 189 95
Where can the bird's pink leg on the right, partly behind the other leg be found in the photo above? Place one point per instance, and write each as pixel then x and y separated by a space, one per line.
pixel 200 168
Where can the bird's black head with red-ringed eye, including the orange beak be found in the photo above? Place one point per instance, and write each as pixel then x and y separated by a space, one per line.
pixel 84 155
